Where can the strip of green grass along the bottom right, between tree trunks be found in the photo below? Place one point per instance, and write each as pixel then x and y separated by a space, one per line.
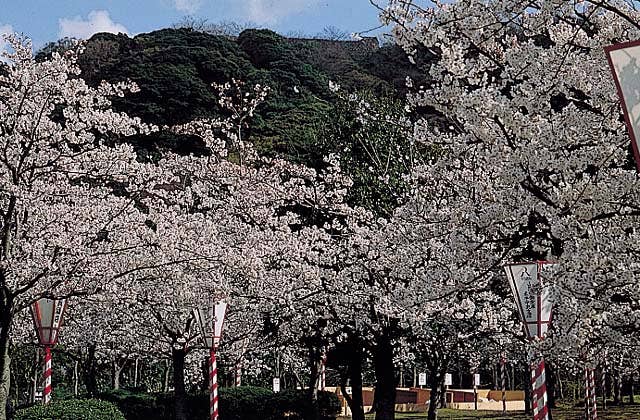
pixel 628 412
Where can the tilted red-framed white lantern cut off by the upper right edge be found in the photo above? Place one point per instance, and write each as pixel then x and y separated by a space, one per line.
pixel 624 63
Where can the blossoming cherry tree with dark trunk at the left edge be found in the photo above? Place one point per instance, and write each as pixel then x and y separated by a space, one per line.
pixel 67 184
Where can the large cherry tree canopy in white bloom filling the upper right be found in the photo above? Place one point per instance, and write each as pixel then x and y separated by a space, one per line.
pixel 537 137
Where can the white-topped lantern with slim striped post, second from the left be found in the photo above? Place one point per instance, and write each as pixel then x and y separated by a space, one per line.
pixel 210 321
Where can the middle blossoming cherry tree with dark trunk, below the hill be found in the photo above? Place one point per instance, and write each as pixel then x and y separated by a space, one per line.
pixel 231 225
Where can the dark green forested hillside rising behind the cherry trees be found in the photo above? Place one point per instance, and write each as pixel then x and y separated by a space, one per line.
pixel 301 120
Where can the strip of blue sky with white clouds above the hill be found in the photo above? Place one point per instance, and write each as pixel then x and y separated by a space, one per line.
pixel 49 20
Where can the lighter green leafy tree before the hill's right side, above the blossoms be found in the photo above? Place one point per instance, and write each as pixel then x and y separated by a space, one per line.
pixel 370 136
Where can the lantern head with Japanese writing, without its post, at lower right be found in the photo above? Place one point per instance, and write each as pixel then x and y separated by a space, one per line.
pixel 532 294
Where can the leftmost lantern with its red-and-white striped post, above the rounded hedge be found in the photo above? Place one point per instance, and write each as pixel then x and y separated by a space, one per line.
pixel 47 318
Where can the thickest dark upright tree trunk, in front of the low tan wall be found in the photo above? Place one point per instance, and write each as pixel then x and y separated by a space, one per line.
pixel 385 392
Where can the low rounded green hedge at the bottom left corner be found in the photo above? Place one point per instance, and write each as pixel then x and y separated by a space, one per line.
pixel 71 410
